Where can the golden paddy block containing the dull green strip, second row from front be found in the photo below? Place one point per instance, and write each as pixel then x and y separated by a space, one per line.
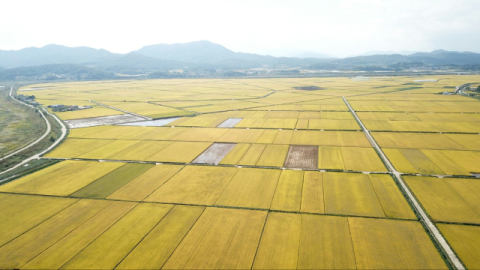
pixel 355 194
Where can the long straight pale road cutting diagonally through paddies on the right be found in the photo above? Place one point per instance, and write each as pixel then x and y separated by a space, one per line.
pixel 451 256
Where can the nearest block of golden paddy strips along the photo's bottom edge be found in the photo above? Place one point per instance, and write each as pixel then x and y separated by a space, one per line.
pixel 103 234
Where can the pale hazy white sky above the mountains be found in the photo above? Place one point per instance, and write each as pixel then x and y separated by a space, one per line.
pixel 336 27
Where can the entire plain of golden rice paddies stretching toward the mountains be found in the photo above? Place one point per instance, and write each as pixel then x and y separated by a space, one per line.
pixel 251 174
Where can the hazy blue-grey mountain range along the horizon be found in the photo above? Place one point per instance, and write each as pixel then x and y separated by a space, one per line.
pixel 205 55
